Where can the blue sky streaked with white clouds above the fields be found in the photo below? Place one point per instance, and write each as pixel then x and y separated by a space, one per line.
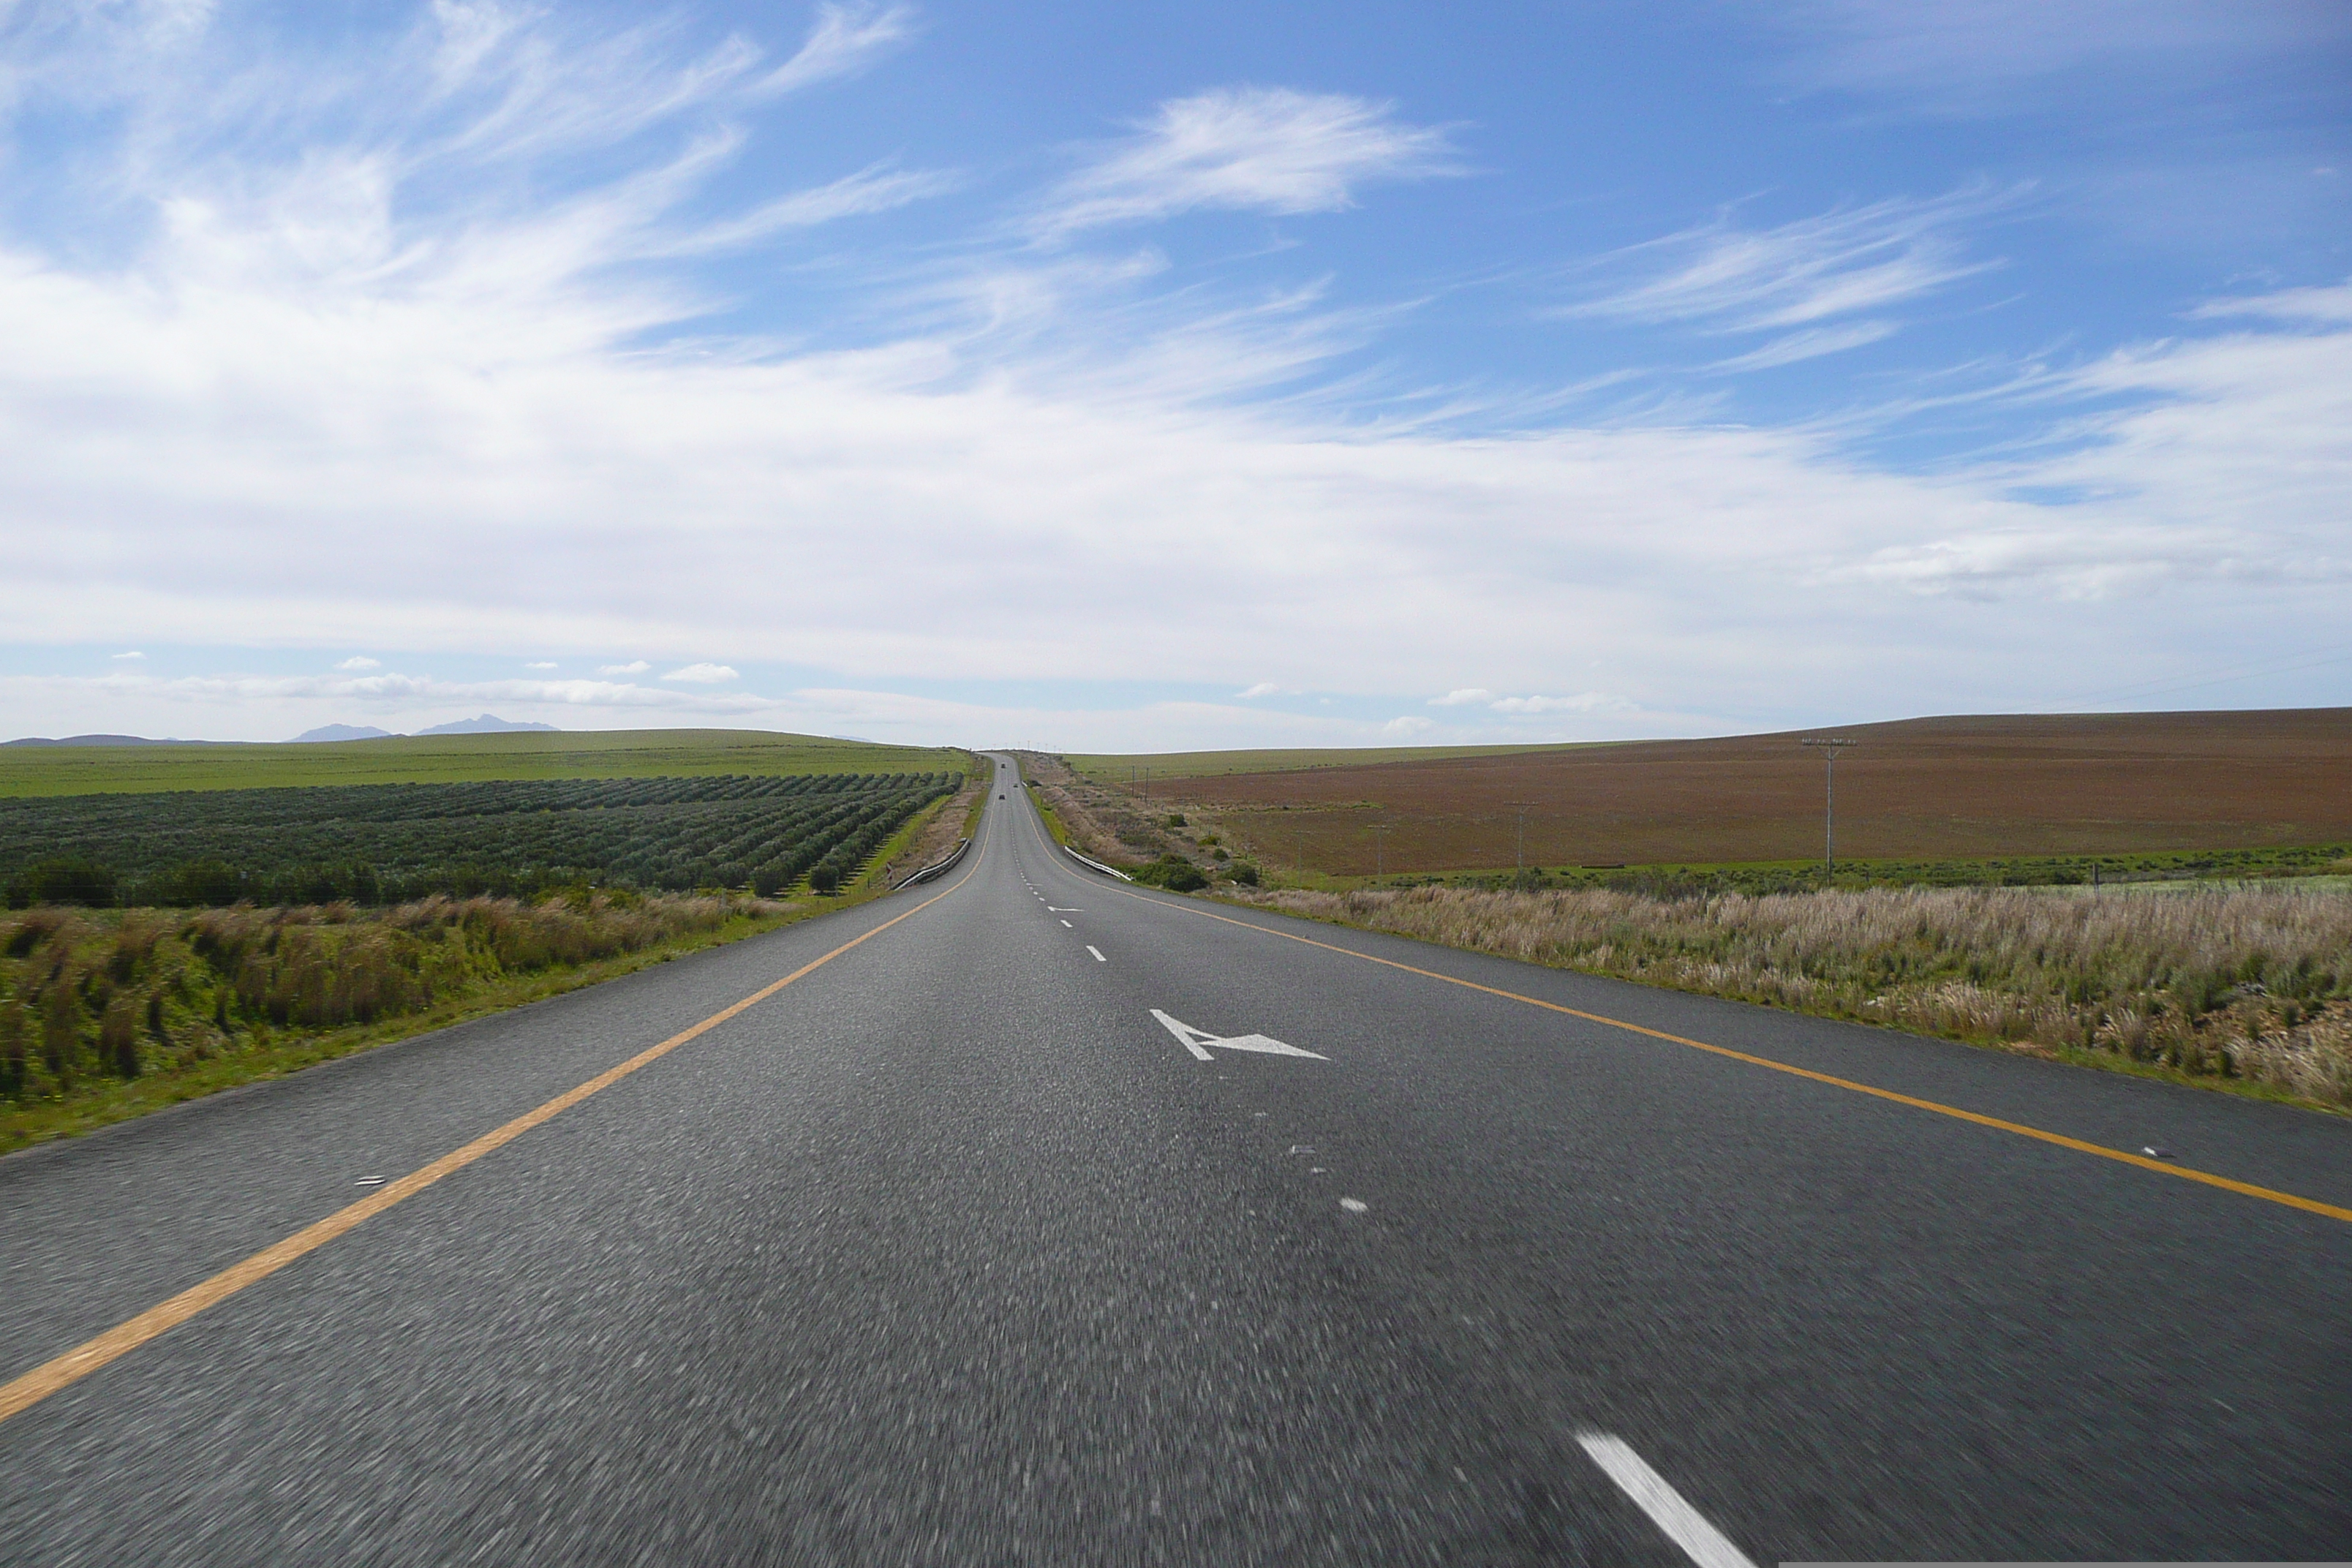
pixel 1165 377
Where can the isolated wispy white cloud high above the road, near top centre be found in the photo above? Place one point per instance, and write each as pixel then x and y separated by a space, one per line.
pixel 1248 149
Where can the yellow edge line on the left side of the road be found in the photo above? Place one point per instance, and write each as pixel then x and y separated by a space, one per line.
pixel 128 1336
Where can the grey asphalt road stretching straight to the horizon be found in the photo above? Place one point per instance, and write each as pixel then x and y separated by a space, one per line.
pixel 954 1252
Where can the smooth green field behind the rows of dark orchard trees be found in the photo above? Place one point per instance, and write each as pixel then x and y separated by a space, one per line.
pixel 615 753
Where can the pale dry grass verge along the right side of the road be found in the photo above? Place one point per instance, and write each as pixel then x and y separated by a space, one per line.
pixel 2233 984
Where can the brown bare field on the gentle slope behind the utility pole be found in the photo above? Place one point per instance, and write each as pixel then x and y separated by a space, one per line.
pixel 1918 789
